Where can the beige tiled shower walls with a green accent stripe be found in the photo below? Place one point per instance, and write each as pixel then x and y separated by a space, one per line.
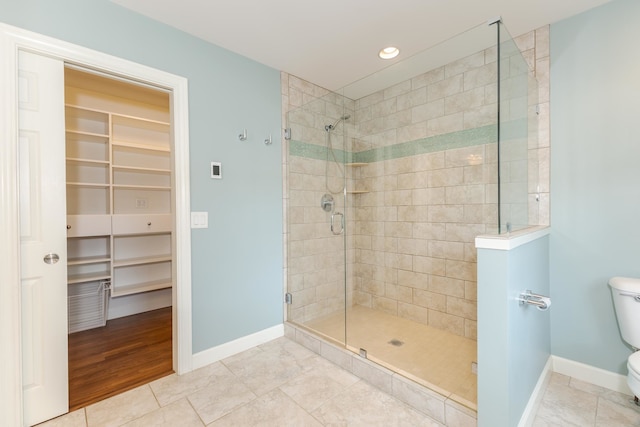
pixel 411 233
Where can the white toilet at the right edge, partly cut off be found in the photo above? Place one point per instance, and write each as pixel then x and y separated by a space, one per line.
pixel 626 300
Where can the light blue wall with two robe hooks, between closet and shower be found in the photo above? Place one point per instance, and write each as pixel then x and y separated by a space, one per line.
pixel 236 262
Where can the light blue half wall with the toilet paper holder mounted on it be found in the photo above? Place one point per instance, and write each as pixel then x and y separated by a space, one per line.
pixel 513 339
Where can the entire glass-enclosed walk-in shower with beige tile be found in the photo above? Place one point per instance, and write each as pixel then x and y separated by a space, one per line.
pixel 388 182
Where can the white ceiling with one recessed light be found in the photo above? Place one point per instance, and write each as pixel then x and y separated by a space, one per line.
pixel 333 43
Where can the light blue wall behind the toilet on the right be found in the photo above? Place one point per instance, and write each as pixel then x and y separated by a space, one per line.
pixel 595 178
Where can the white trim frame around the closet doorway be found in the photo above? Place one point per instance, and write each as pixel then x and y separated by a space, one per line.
pixel 13 39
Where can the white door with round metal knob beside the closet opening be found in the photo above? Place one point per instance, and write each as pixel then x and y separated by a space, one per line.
pixel 43 237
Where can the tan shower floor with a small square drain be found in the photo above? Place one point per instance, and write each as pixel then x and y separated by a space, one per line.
pixel 432 357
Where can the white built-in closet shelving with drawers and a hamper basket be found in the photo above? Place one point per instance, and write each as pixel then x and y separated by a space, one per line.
pixel 119 198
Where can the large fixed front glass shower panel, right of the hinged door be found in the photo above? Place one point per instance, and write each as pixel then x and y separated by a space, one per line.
pixel 423 185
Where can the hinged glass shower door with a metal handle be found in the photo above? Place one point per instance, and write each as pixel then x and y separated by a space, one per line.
pixel 316 213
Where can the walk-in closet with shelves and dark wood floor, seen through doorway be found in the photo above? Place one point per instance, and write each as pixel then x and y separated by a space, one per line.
pixel 120 233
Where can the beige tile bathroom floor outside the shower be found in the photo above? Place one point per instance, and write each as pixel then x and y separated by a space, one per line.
pixel 281 383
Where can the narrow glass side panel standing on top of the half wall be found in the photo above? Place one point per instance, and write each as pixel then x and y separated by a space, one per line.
pixel 517 137
